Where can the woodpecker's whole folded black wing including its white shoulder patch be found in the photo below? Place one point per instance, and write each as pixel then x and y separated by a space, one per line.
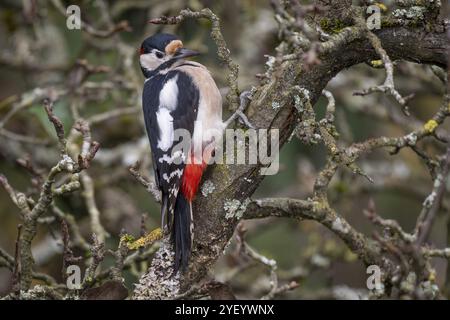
pixel 164 113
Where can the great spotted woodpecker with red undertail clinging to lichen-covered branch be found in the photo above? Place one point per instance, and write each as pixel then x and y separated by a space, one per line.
pixel 178 94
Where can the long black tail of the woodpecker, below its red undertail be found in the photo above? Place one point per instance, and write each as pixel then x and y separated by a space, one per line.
pixel 181 232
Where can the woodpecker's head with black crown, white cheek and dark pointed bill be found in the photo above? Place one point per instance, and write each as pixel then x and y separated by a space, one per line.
pixel 161 50
